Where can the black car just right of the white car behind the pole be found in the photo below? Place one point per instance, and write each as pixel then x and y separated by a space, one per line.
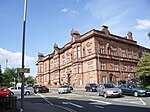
pixel 40 89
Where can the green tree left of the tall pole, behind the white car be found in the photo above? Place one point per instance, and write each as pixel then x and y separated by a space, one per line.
pixel 8 76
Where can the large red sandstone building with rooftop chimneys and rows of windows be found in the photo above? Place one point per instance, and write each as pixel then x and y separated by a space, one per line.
pixel 94 57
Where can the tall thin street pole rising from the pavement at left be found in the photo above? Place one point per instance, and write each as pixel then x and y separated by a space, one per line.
pixel 23 52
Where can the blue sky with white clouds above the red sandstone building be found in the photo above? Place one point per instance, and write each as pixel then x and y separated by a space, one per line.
pixel 51 21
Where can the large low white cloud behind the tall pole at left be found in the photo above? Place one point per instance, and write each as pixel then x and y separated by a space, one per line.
pixel 15 59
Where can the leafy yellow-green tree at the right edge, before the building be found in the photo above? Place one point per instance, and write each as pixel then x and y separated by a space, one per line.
pixel 143 68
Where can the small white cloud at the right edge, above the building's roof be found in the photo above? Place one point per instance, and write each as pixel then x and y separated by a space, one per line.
pixel 143 24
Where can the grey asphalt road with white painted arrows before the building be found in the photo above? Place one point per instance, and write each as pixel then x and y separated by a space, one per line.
pixel 81 101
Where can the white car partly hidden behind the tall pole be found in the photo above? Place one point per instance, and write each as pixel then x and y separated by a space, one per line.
pixel 17 90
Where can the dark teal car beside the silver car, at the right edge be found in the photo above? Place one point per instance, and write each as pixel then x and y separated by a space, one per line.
pixel 132 89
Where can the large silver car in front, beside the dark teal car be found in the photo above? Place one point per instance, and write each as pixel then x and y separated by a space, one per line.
pixel 109 90
